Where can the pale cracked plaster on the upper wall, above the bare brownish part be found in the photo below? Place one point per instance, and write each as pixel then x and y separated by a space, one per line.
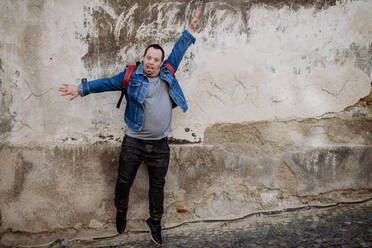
pixel 253 61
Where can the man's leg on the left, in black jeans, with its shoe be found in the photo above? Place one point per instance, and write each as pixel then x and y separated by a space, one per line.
pixel 129 161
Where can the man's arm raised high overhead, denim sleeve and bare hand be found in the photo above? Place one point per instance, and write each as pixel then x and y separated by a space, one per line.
pixel 183 43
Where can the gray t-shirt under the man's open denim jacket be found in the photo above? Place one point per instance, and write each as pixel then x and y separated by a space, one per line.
pixel 158 112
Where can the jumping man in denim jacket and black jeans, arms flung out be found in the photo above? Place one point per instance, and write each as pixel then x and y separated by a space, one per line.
pixel 151 94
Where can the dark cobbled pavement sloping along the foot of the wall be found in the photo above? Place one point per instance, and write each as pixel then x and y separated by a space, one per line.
pixel 342 225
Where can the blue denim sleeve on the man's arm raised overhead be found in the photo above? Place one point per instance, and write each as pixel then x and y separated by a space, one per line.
pixel 179 49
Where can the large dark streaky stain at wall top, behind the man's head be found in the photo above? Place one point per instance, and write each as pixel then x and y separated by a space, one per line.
pixel 104 50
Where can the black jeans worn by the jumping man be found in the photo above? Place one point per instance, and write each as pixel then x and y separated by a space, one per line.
pixel 155 154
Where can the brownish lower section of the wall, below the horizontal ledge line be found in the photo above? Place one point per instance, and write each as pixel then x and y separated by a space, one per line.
pixel 67 192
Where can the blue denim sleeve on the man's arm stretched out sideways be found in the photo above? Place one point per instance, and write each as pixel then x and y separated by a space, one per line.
pixel 101 85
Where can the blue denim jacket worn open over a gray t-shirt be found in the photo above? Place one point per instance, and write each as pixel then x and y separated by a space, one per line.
pixel 136 90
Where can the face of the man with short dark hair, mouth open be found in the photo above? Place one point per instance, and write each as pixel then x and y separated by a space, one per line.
pixel 152 62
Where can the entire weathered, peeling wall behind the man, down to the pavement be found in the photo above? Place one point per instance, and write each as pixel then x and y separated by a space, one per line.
pixel 280 106
